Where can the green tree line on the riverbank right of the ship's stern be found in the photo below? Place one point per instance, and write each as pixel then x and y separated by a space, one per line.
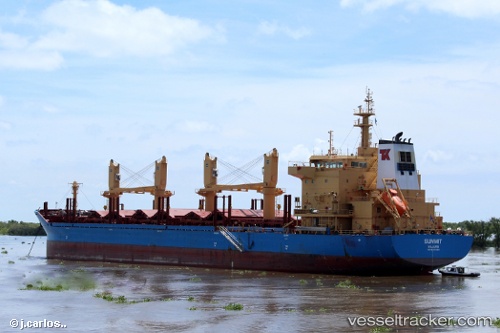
pixel 485 234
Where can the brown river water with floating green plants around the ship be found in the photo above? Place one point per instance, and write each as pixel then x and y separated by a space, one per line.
pixel 110 297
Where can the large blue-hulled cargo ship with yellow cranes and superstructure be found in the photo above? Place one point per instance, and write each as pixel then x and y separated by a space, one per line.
pixel 361 214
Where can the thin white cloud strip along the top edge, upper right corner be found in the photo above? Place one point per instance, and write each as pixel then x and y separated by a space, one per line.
pixel 461 8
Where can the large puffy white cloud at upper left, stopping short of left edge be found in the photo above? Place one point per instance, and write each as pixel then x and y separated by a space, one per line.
pixel 104 29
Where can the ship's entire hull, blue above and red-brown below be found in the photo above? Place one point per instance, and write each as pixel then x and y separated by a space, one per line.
pixel 259 249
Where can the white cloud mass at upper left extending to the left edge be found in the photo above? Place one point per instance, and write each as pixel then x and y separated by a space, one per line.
pixel 103 29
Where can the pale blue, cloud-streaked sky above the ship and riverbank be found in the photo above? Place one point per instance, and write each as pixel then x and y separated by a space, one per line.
pixel 84 82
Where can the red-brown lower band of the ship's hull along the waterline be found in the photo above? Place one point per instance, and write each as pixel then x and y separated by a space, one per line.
pixel 230 259
